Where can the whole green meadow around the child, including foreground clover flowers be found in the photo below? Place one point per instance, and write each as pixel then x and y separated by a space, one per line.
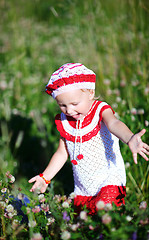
pixel 36 38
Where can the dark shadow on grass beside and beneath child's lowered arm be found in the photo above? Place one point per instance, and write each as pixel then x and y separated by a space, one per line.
pixel 33 157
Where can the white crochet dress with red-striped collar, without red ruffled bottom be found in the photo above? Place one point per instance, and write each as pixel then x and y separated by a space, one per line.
pixel 101 163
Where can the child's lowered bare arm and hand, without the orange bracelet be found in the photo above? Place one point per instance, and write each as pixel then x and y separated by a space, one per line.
pixel 56 163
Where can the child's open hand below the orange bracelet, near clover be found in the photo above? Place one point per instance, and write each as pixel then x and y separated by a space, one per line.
pixel 39 184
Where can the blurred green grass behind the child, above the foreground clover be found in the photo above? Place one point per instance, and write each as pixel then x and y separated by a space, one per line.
pixel 36 38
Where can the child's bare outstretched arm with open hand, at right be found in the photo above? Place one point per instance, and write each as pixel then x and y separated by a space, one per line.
pixel 120 130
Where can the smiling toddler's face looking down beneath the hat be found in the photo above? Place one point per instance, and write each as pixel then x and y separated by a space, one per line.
pixel 76 103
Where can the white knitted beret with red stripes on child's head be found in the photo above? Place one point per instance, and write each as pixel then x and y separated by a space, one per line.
pixel 70 76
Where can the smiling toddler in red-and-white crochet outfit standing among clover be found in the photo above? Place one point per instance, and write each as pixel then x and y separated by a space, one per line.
pixel 89 134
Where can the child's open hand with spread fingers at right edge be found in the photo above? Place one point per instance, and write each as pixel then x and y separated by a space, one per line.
pixel 137 146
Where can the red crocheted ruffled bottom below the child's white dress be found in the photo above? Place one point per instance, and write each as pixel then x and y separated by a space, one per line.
pixel 108 194
